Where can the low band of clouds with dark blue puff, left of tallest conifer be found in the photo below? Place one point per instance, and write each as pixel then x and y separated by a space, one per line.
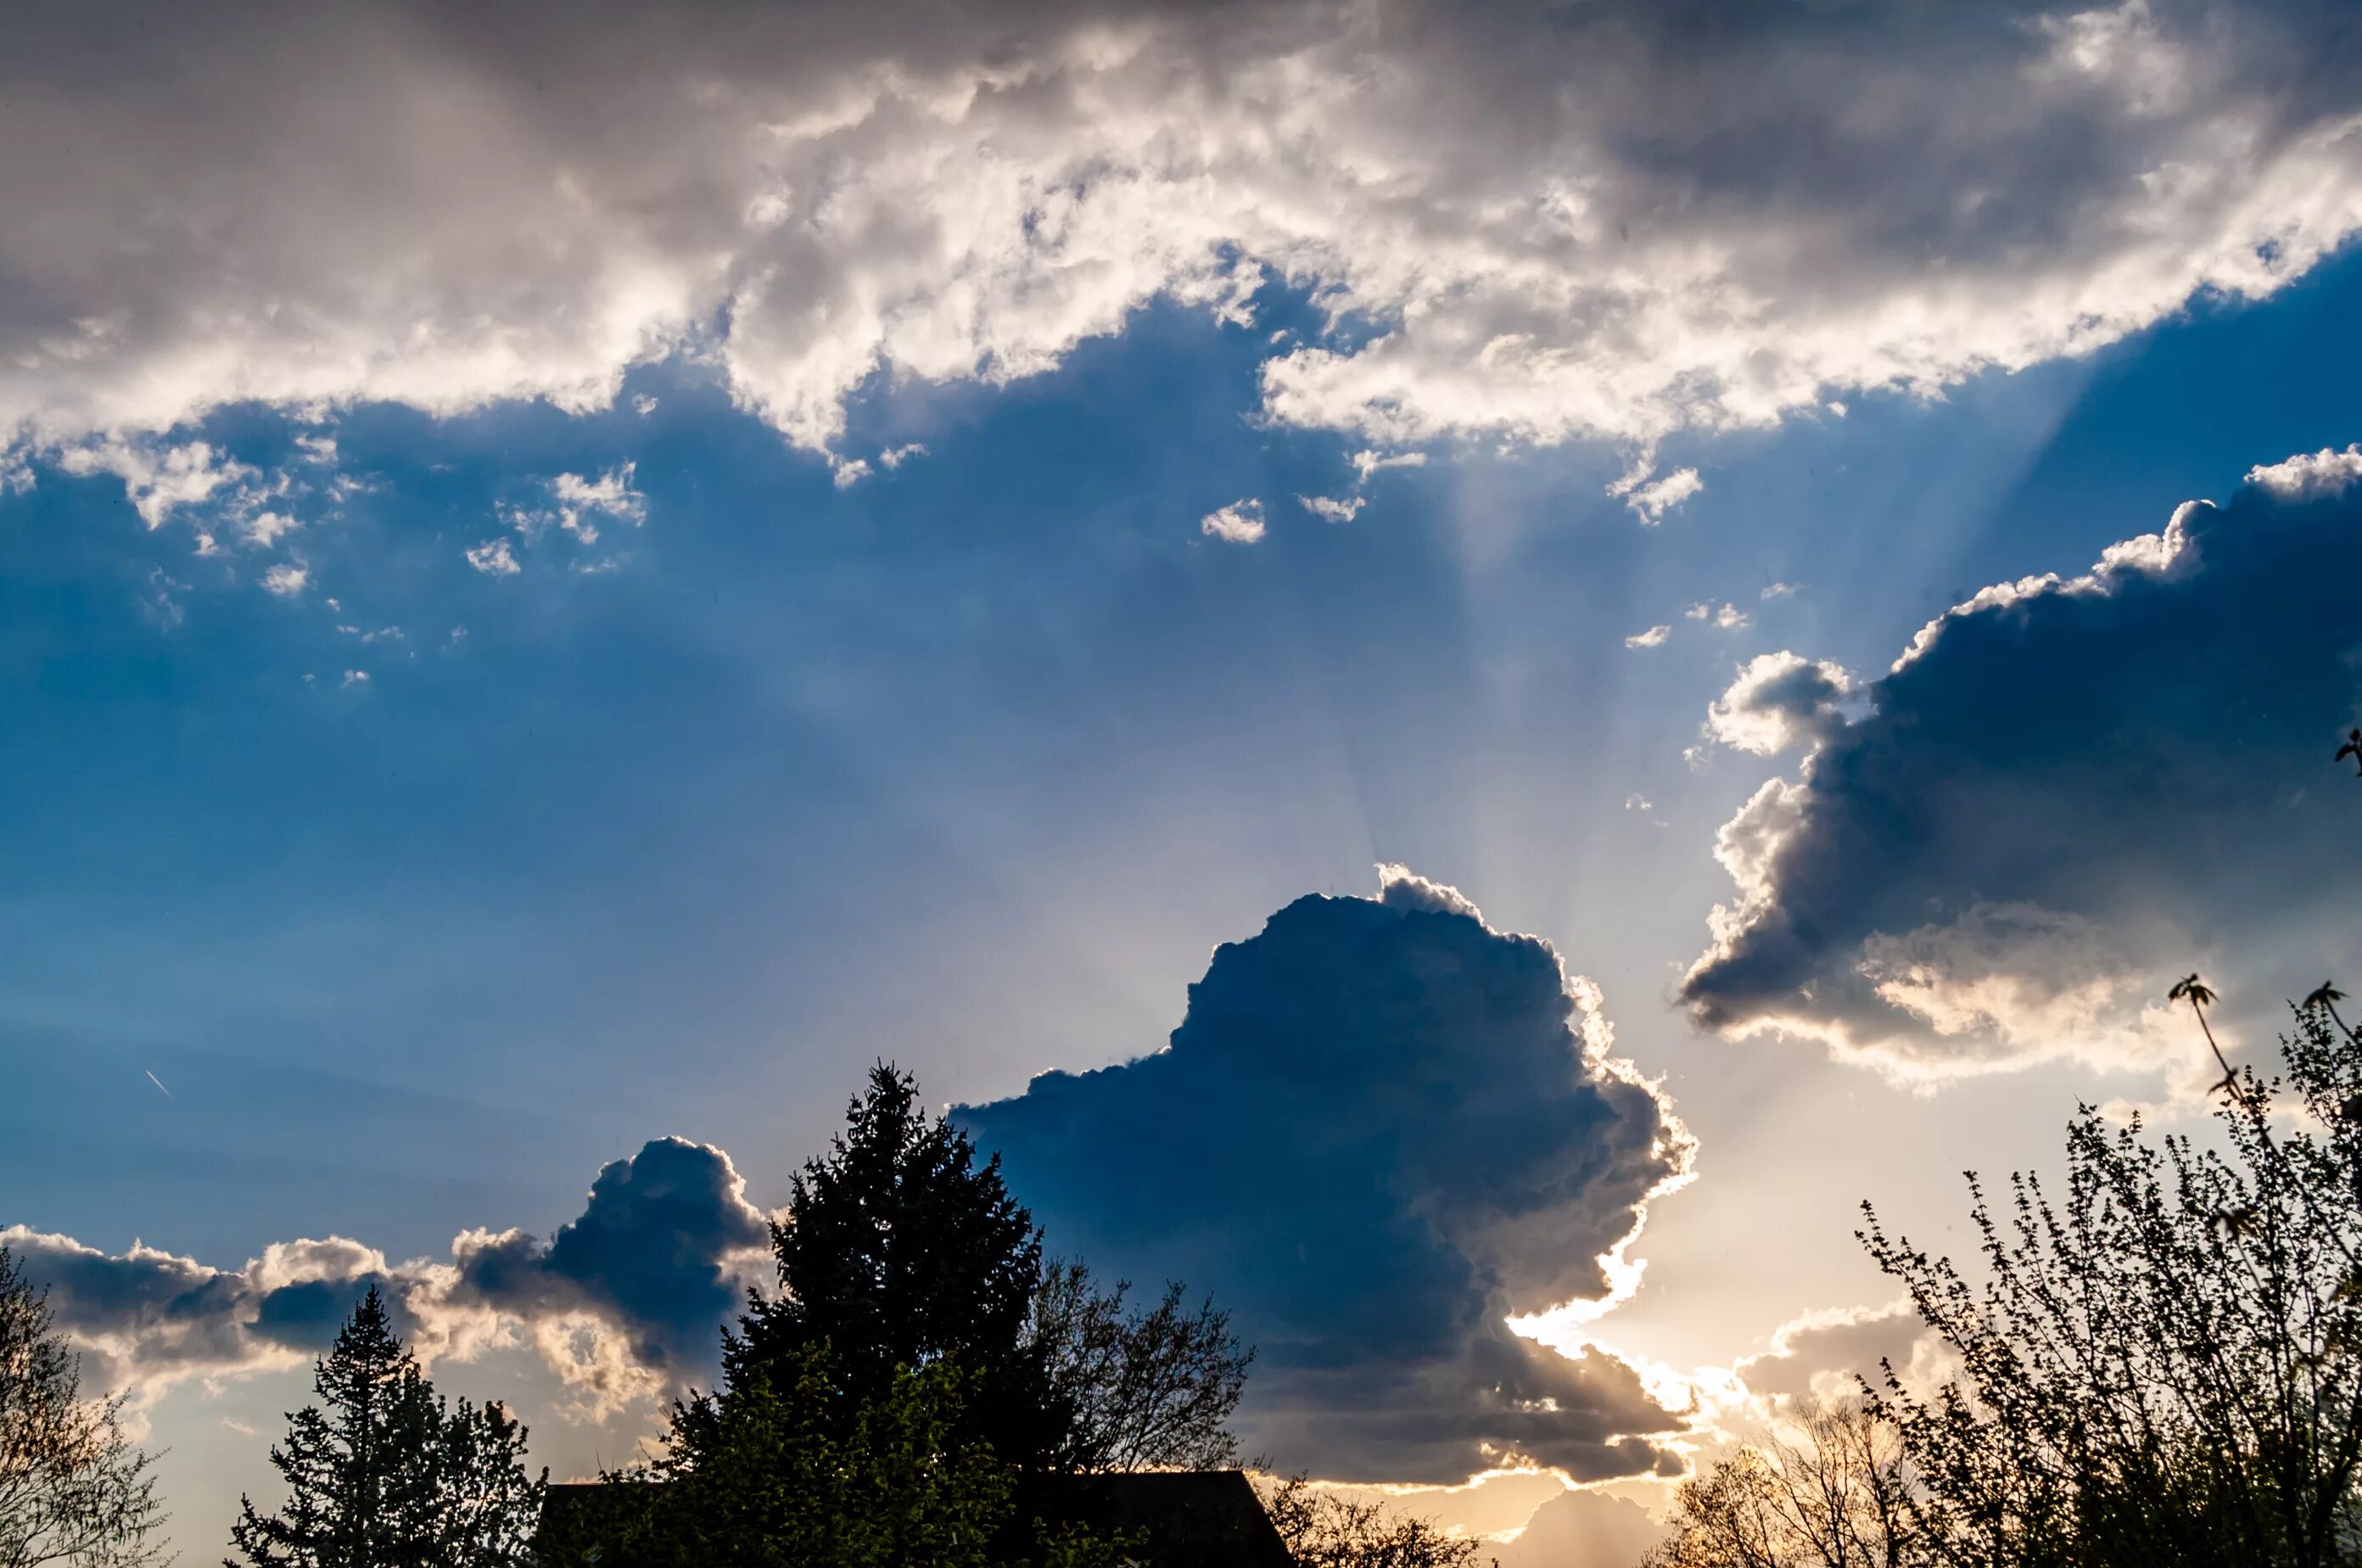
pixel 622 1302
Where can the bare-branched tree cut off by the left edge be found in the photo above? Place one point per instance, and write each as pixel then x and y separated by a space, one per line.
pixel 72 1487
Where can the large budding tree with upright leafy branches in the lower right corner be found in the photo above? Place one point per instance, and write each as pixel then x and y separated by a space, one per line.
pixel 2167 1366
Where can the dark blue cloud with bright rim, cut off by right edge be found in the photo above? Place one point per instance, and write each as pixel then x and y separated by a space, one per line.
pixel 2061 797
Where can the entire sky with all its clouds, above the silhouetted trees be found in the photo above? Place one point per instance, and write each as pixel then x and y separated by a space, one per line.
pixel 1456 669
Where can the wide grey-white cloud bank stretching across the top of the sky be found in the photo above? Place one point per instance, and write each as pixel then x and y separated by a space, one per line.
pixel 1614 221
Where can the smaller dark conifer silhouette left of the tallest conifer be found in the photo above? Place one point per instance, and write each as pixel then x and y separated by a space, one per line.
pixel 386 1475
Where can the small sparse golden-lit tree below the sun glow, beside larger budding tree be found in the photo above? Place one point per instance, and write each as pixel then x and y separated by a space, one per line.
pixel 1829 1491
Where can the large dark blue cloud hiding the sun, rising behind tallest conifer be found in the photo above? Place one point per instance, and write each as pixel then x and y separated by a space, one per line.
pixel 1381 1130
